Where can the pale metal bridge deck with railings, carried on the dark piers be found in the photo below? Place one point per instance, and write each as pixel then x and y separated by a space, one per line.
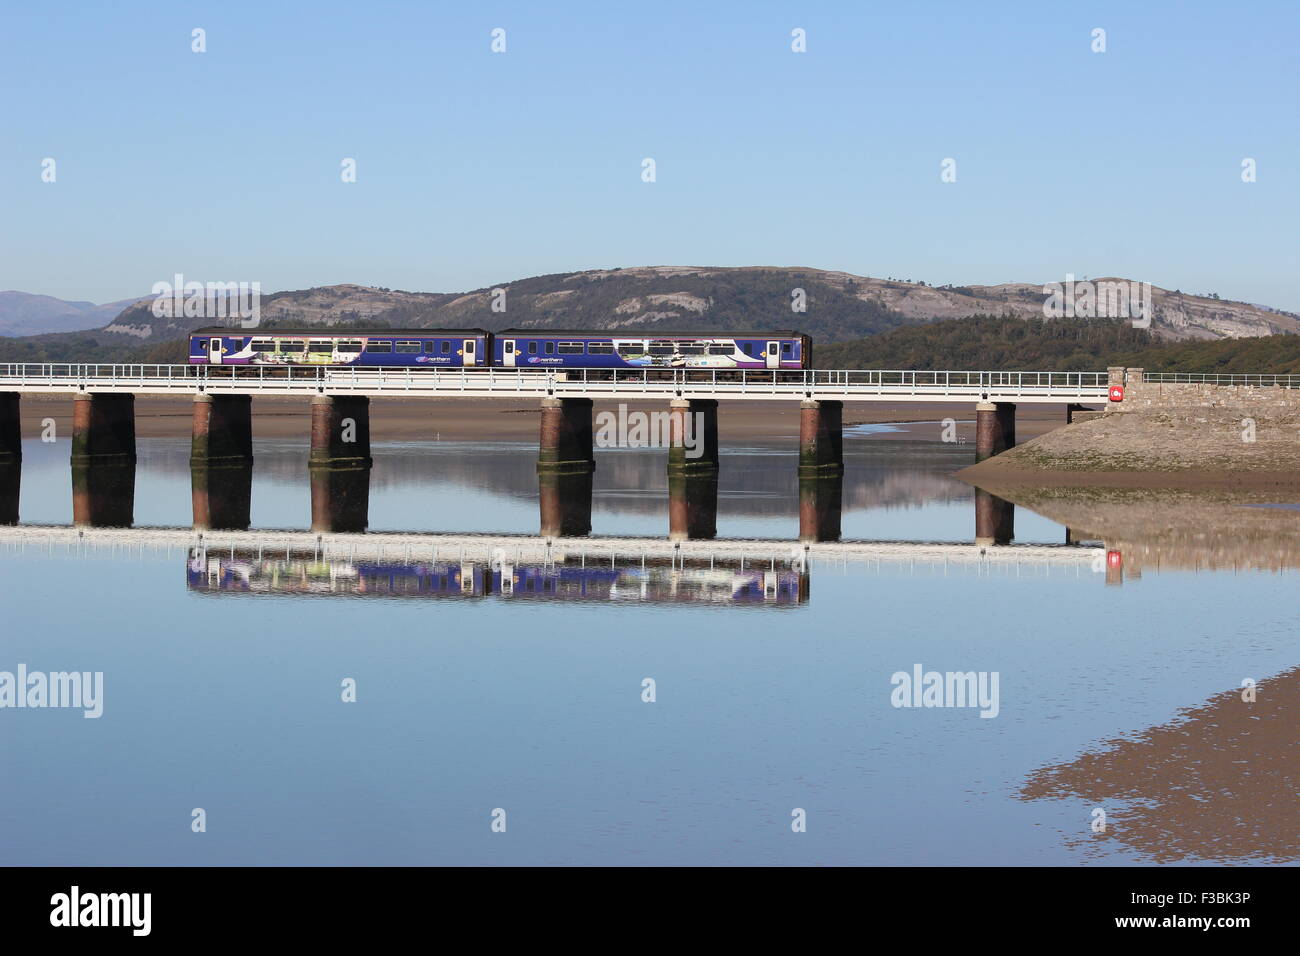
pixel 868 386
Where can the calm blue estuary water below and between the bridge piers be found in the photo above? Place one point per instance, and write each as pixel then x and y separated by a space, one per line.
pixel 224 691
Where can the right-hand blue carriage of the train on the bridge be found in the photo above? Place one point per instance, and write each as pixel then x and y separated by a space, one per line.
pixel 704 351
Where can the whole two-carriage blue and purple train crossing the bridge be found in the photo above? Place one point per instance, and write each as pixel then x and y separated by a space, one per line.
pixel 509 349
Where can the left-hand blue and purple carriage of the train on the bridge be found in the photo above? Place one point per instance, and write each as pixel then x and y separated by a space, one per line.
pixel 352 348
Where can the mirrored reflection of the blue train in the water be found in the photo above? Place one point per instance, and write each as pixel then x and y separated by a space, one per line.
pixel 652 581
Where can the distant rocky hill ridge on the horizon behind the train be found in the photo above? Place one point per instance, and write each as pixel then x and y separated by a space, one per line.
pixel 839 306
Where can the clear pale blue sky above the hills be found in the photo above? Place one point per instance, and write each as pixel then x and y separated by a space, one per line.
pixel 478 168
